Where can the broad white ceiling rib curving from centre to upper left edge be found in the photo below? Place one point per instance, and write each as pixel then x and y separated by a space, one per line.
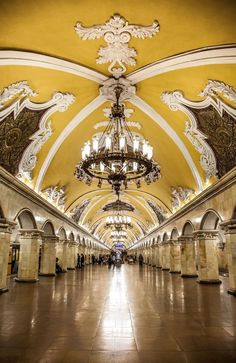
pixel 20 58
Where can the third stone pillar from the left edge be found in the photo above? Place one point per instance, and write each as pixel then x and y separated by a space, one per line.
pixel 48 257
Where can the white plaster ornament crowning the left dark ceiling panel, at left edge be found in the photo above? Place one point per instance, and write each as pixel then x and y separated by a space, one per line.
pixel 18 89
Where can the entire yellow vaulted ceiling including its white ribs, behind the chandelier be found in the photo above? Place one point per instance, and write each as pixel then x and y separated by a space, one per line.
pixel 195 44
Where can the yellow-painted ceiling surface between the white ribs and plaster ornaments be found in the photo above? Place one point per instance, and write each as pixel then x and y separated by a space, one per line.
pixel 47 28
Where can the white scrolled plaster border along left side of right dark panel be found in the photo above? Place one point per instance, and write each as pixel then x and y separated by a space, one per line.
pixel 176 101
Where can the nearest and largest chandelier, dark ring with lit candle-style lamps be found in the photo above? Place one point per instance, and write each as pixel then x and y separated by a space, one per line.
pixel 117 156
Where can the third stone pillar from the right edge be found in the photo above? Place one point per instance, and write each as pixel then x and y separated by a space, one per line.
pixel 187 256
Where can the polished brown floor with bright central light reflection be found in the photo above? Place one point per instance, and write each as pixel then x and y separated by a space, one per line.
pixel 125 315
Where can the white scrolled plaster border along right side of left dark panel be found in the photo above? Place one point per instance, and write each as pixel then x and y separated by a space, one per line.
pixel 59 102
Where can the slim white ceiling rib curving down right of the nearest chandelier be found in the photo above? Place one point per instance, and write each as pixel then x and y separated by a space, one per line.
pixel 146 108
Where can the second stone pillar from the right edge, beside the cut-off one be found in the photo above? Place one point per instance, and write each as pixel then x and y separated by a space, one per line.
pixel 208 268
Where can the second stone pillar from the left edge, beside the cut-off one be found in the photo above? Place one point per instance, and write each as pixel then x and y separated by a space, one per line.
pixel 29 255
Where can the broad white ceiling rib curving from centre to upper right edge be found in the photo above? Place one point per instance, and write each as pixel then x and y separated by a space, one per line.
pixel 225 54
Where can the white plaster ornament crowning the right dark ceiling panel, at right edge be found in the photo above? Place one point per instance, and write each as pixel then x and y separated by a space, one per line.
pixel 214 87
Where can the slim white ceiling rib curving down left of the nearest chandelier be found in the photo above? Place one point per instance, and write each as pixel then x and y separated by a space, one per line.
pixel 85 112
